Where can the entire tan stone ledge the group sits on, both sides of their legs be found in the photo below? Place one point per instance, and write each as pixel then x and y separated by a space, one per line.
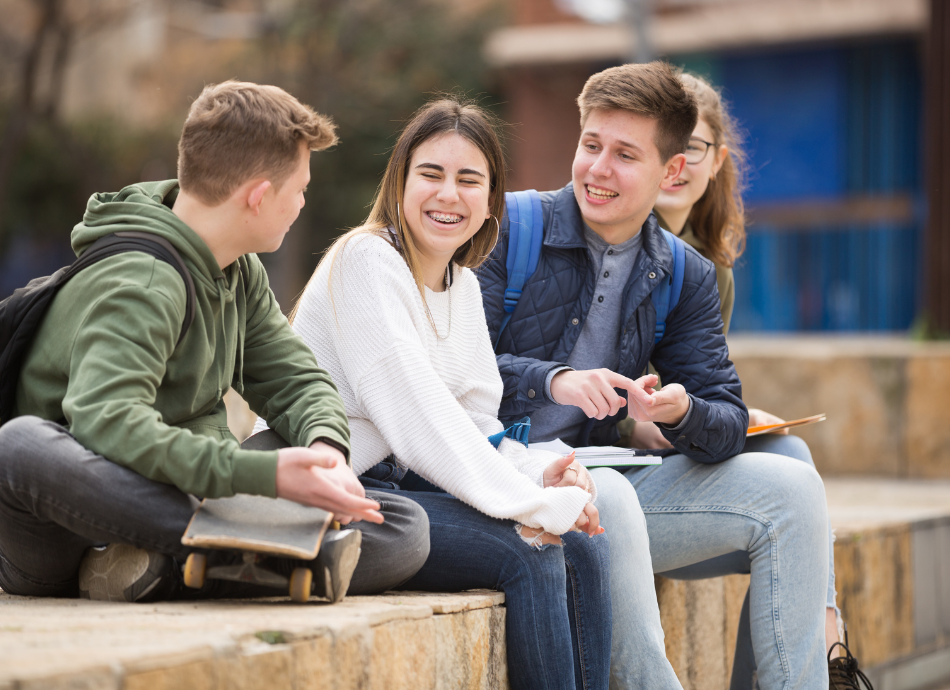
pixel 893 575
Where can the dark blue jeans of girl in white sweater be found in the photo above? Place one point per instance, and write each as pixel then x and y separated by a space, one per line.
pixel 557 599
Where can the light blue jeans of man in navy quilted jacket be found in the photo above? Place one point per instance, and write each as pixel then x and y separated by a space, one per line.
pixel 756 513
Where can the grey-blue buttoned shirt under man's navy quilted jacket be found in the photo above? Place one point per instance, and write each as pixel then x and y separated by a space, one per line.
pixel 598 345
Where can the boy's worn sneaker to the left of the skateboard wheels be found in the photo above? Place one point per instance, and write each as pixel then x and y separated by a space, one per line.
pixel 119 572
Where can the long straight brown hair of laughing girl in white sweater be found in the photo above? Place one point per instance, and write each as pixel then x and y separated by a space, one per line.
pixel 443 116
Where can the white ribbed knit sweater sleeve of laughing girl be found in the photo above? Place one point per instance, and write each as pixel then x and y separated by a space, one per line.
pixel 376 332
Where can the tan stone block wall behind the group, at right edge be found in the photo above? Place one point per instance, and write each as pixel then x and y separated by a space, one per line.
pixel 887 399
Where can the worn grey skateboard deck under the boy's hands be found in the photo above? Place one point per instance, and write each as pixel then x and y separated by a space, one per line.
pixel 256 523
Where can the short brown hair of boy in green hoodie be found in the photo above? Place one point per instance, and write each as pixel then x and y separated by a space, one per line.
pixel 238 130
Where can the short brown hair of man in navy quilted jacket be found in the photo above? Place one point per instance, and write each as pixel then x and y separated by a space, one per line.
pixel 652 90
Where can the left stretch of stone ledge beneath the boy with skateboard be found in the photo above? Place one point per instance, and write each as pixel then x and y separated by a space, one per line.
pixel 403 640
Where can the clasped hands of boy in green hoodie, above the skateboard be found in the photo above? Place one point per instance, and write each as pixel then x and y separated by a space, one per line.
pixel 319 476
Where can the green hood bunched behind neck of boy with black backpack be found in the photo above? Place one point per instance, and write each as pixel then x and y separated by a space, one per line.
pixel 147 207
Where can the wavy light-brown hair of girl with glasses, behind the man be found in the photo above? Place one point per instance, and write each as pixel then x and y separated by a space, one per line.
pixel 718 218
